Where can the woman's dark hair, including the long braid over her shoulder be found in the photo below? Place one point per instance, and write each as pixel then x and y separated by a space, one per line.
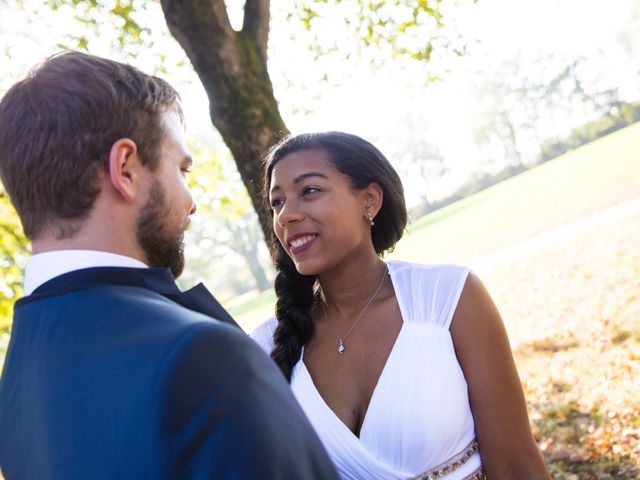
pixel 363 163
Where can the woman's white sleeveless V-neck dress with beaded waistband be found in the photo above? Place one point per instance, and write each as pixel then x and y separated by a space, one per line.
pixel 419 422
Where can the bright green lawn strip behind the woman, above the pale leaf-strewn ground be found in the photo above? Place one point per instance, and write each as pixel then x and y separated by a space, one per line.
pixel 555 193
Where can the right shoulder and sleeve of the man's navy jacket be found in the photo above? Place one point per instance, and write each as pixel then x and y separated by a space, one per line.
pixel 224 385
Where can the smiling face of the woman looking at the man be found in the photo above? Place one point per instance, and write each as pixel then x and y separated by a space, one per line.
pixel 317 216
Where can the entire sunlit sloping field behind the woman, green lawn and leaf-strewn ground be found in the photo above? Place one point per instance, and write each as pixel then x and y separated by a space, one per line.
pixel 571 307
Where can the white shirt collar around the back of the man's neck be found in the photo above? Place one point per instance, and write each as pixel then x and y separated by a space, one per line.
pixel 42 267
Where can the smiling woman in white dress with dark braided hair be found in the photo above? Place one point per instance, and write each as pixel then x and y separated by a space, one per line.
pixel 404 370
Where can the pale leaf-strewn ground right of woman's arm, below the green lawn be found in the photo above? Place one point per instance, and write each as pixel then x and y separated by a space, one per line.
pixel 573 313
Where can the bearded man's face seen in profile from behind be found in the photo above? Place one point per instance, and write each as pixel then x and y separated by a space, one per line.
pixel 165 217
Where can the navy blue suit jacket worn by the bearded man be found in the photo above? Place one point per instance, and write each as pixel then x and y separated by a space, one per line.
pixel 108 376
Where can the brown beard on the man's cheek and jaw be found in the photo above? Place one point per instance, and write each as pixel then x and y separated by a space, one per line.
pixel 162 248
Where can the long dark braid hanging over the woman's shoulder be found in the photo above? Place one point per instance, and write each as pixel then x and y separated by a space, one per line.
pixel 293 311
